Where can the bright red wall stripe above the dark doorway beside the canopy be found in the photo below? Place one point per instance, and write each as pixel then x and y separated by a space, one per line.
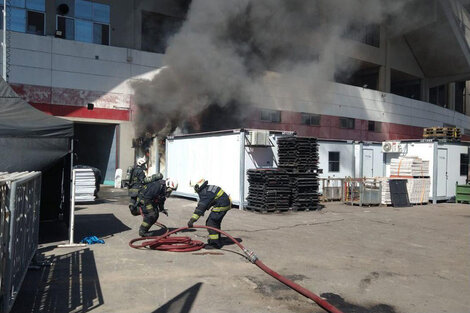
pixel 83 112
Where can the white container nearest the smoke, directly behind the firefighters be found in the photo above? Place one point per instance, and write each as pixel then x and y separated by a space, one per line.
pixel 222 158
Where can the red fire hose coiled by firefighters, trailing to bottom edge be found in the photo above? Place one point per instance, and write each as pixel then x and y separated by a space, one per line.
pixel 186 244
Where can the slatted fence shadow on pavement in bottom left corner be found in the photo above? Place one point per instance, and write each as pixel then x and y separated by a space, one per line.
pixel 69 284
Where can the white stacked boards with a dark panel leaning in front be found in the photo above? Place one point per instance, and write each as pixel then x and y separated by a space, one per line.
pixel 416 172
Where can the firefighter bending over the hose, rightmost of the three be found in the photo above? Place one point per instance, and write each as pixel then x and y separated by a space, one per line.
pixel 215 197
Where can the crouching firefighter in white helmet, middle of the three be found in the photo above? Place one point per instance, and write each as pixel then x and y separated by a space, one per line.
pixel 151 201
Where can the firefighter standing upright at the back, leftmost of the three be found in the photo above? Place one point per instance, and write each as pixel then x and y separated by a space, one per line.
pixel 136 178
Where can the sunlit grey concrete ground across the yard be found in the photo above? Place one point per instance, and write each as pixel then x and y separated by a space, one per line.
pixel 362 259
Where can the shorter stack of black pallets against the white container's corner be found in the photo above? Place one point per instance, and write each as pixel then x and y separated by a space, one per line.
pixel 269 190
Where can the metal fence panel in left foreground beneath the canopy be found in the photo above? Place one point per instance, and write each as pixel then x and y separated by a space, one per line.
pixel 20 203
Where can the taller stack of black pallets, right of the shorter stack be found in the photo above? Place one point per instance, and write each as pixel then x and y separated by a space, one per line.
pixel 299 156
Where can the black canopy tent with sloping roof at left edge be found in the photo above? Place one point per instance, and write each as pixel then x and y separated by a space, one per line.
pixel 31 140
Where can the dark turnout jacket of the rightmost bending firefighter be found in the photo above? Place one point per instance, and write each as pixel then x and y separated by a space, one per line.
pixel 211 196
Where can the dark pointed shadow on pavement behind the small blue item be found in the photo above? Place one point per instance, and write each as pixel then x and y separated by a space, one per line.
pixel 100 225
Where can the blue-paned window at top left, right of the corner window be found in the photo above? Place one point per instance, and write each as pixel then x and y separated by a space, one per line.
pixel 90 23
